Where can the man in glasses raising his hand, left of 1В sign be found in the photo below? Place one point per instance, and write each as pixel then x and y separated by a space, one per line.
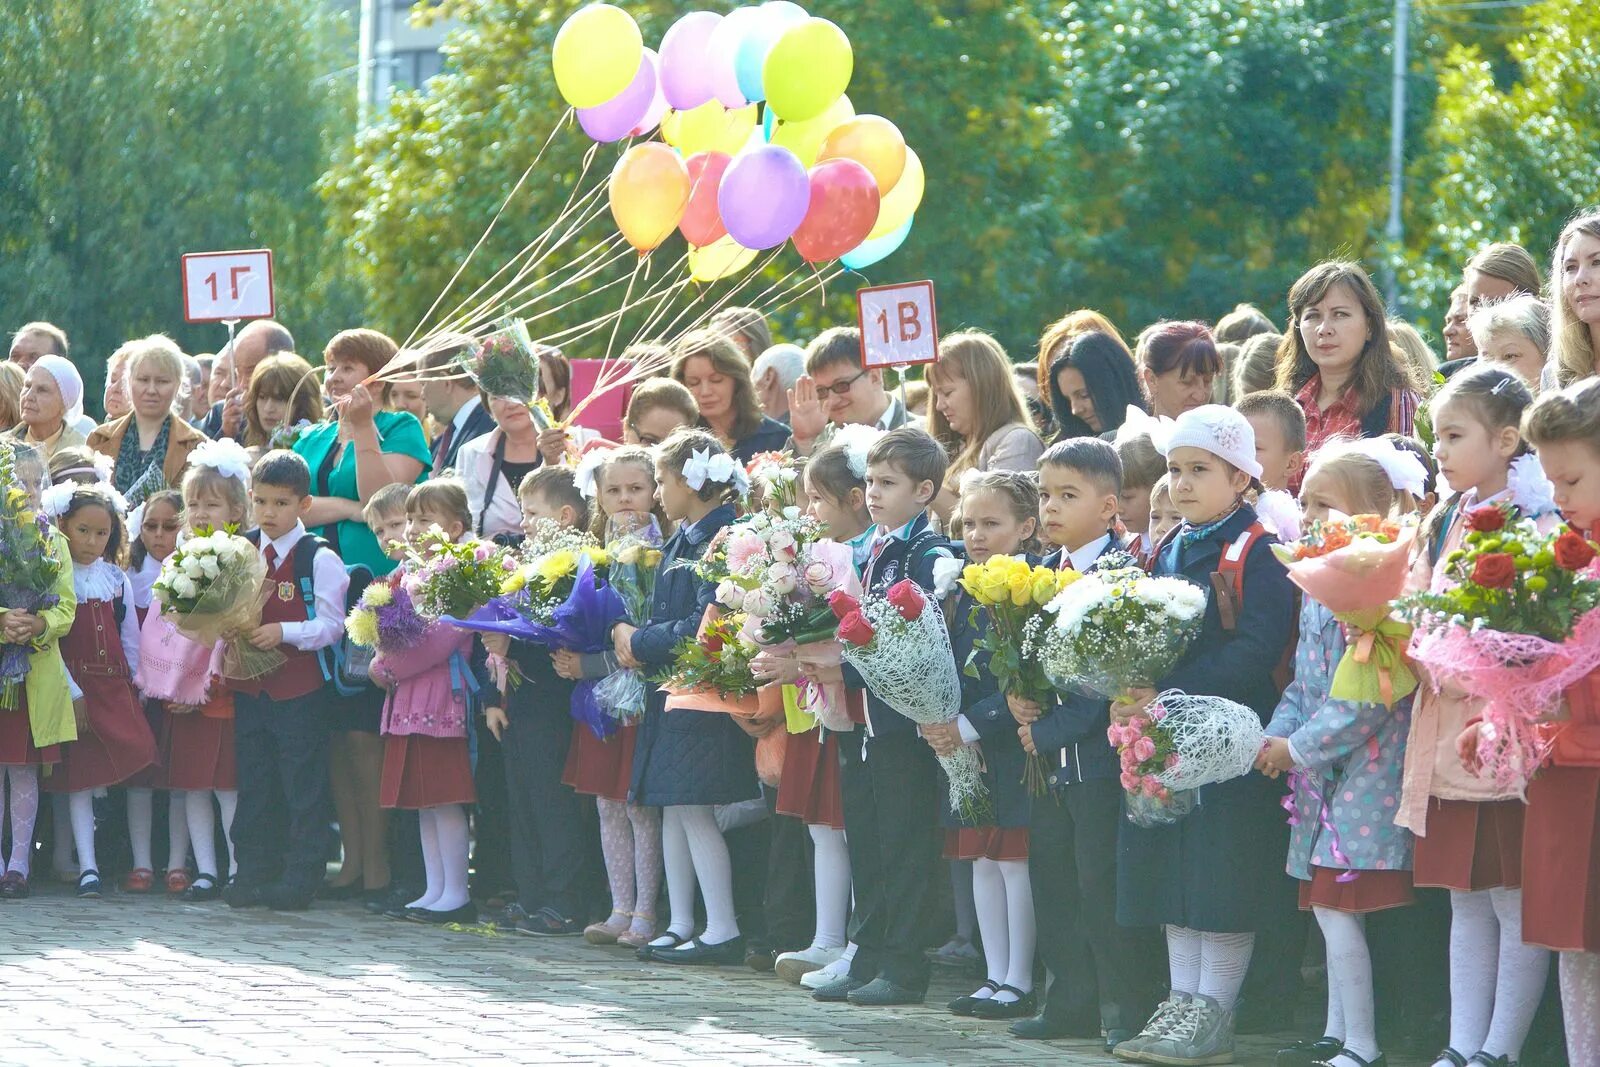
pixel 836 391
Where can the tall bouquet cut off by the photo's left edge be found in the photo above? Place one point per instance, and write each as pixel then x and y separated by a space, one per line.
pixel 30 567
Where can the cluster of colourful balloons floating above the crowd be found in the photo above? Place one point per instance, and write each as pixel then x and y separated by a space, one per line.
pixel 759 143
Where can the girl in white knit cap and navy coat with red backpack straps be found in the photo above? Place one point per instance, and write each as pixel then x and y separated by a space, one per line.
pixel 1210 877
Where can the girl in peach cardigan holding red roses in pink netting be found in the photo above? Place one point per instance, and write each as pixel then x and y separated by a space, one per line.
pixel 1470 831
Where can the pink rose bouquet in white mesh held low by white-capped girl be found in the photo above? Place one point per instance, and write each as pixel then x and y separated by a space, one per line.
pixel 1178 745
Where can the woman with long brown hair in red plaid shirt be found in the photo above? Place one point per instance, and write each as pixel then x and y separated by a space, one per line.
pixel 1338 364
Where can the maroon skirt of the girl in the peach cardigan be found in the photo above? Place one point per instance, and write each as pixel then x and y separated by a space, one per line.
pixel 1471 845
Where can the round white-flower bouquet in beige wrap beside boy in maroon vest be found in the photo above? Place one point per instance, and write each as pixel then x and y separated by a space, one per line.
pixel 212 588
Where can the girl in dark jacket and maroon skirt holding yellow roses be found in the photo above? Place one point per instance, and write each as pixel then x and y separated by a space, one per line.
pixel 999 518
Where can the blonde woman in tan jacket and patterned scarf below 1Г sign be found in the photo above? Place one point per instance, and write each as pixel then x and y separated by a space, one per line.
pixel 153 442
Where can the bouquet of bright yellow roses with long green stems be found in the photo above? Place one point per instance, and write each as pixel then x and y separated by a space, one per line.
pixel 1015 594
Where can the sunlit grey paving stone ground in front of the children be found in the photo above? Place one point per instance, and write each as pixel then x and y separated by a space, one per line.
pixel 140 981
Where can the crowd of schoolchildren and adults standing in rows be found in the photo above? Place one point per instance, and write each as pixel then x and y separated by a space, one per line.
pixel 1439 897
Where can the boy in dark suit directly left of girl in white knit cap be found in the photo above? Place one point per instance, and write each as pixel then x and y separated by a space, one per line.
pixel 1095 964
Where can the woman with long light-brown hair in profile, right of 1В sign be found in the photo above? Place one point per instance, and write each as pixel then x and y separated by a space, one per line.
pixel 978 414
